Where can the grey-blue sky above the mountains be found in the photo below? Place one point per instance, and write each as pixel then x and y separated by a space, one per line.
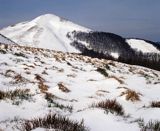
pixel 129 18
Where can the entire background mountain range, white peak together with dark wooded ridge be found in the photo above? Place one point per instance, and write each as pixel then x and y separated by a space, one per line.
pixel 52 32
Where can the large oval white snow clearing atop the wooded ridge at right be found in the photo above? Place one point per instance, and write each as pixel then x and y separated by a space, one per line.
pixel 143 46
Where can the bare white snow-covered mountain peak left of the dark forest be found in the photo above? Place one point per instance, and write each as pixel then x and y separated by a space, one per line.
pixel 46 31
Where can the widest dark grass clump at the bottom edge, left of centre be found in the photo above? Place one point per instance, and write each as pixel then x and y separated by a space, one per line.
pixel 55 122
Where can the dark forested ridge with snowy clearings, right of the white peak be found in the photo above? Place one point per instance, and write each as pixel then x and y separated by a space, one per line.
pixel 114 47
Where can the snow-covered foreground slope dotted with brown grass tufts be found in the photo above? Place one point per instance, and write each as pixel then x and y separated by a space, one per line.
pixel 73 84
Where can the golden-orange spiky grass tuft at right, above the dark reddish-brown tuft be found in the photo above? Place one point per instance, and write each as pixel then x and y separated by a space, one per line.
pixel 131 95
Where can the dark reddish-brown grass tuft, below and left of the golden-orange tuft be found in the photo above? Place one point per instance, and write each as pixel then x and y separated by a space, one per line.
pixel 110 106
